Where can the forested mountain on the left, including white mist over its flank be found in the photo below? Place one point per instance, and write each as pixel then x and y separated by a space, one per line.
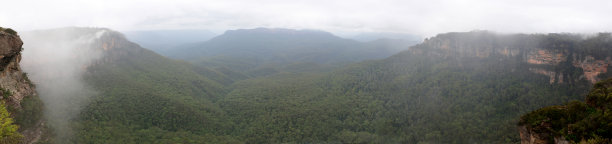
pixel 102 88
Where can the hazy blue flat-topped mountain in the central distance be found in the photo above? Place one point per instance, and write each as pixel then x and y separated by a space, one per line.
pixel 247 50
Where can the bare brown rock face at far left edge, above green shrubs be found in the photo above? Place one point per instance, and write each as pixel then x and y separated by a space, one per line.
pixel 12 79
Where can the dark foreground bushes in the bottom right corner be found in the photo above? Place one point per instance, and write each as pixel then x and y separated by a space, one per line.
pixel 577 121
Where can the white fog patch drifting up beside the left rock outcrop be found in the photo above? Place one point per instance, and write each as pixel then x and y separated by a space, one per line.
pixel 55 61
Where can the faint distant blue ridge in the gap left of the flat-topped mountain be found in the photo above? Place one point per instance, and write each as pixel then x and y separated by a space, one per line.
pixel 162 41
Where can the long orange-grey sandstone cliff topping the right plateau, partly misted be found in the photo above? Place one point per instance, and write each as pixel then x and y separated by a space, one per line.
pixel 563 58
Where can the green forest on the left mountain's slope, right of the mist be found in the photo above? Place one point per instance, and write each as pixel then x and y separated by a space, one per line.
pixel 146 98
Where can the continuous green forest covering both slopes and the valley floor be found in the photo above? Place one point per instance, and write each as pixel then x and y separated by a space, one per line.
pixel 423 95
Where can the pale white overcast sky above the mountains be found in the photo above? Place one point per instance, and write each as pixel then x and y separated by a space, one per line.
pixel 423 17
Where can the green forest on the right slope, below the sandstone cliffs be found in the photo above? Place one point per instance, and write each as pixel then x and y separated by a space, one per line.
pixel 404 99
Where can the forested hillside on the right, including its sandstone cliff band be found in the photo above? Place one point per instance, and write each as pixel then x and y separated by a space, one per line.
pixel 453 88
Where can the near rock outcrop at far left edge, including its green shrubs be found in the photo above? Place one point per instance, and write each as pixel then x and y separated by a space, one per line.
pixel 20 108
